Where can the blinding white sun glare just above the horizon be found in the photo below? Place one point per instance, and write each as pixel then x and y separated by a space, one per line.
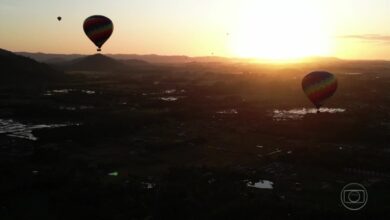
pixel 280 30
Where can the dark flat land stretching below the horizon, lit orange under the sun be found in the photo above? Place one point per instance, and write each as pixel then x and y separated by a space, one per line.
pixel 189 141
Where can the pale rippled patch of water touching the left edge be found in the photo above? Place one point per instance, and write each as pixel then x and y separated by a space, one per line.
pixel 15 129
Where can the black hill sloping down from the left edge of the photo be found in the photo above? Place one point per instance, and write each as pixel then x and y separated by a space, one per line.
pixel 20 70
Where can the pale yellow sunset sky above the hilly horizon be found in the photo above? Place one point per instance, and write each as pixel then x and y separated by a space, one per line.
pixel 265 29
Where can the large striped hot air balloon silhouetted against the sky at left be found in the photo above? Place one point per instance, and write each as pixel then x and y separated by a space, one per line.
pixel 98 29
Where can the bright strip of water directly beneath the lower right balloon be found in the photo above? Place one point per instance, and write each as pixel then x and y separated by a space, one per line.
pixel 297 114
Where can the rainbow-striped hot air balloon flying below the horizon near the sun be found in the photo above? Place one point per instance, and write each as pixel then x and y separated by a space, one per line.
pixel 319 86
